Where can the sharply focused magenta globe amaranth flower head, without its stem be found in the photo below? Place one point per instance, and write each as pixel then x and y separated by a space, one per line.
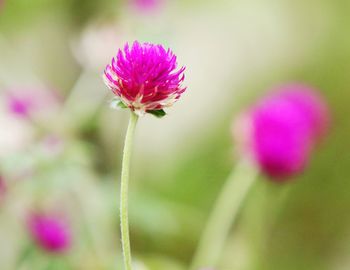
pixel 145 77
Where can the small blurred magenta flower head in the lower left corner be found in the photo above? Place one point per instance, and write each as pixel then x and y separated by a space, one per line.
pixel 50 232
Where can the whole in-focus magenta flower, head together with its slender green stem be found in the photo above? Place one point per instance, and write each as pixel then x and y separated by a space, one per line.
pixel 145 79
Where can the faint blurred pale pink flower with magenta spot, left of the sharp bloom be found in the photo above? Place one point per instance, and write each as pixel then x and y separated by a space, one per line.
pixel 27 102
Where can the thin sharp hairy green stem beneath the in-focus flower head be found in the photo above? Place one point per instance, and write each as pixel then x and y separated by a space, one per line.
pixel 124 220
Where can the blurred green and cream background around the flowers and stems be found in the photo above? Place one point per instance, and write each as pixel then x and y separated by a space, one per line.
pixel 66 156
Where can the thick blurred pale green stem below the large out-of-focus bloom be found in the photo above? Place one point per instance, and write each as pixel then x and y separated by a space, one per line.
pixel 223 215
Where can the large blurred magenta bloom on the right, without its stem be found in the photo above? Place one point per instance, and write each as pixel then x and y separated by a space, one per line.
pixel 281 131
